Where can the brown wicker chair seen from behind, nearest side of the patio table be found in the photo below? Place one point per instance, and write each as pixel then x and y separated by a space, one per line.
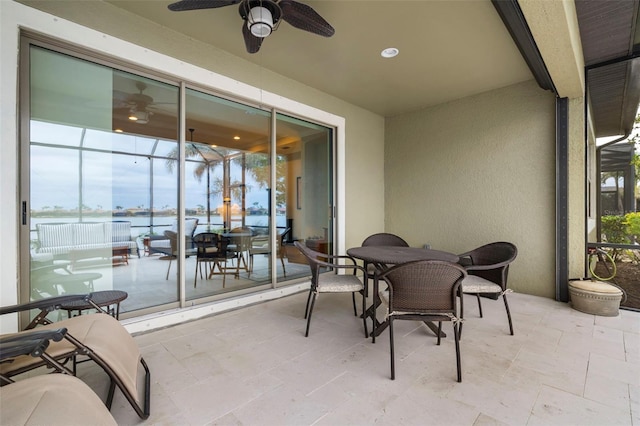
pixel 423 290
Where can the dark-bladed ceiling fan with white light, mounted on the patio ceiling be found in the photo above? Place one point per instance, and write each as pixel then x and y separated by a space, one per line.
pixel 262 17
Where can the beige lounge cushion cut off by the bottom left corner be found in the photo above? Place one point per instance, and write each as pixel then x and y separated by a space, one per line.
pixel 52 399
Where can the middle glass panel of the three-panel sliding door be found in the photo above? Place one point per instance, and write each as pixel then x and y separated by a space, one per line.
pixel 227 188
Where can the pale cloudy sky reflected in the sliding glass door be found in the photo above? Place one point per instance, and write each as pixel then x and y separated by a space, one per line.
pixel 109 181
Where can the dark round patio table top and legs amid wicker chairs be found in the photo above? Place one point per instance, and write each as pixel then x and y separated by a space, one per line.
pixel 383 257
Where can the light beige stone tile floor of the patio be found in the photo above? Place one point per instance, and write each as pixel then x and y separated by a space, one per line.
pixel 253 366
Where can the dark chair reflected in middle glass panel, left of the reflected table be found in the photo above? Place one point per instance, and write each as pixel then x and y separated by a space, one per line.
pixel 212 250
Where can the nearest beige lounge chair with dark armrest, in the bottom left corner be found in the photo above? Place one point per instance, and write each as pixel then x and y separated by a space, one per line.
pixel 51 399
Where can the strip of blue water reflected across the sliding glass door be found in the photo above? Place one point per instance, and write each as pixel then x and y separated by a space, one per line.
pixel 140 224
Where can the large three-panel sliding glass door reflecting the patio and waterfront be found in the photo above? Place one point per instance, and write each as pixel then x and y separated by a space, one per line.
pixel 117 190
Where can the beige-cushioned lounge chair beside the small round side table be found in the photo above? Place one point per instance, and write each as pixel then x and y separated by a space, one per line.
pixel 100 337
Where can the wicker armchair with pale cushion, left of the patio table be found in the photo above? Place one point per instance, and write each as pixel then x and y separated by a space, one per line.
pixel 332 283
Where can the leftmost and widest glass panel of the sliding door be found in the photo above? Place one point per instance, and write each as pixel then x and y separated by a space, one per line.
pixel 94 182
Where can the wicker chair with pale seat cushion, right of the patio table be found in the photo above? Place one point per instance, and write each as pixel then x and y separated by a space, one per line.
pixel 488 269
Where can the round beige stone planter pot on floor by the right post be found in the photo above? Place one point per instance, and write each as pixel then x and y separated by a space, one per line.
pixel 595 297
